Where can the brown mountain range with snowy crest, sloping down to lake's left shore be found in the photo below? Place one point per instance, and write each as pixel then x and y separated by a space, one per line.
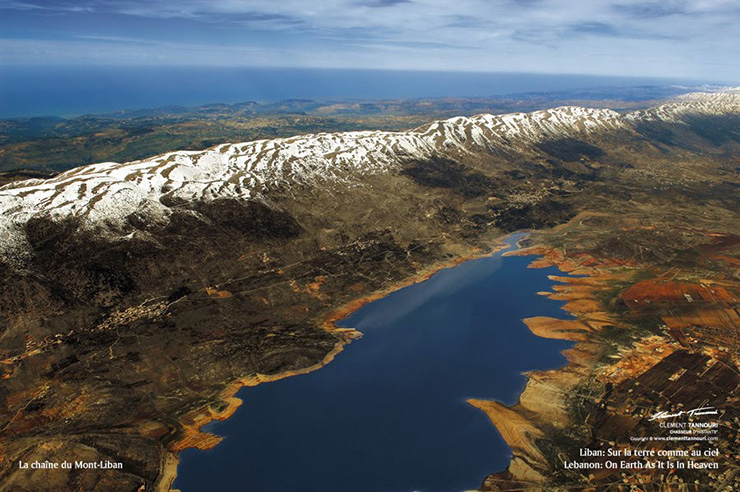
pixel 160 285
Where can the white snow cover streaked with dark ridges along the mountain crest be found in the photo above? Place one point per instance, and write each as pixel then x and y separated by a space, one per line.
pixel 103 195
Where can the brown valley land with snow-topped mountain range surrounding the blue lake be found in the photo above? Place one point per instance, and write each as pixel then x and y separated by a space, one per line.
pixel 163 285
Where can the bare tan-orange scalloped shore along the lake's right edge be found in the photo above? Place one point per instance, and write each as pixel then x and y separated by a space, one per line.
pixel 542 404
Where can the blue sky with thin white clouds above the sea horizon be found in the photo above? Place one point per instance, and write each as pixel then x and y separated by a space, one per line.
pixel 671 38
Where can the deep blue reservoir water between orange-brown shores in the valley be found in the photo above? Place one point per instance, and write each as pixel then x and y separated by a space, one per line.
pixel 390 413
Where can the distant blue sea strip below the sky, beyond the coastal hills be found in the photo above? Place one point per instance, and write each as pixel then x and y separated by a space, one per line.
pixel 74 91
